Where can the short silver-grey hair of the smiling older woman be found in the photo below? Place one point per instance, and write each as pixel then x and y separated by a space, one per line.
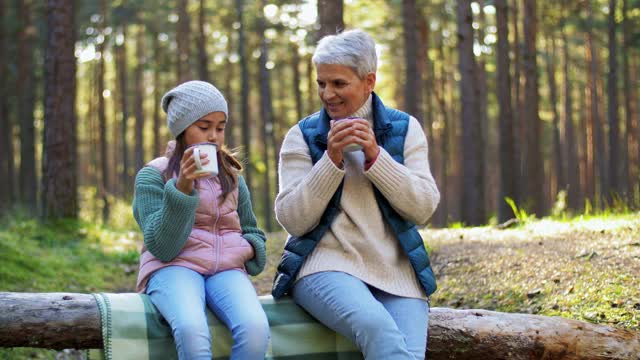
pixel 354 48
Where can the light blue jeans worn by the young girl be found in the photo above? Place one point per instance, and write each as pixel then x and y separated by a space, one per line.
pixel 181 294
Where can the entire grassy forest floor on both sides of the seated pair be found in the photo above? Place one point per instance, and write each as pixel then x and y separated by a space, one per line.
pixel 585 268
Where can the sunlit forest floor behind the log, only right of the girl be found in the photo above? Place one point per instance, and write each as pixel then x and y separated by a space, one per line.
pixel 584 269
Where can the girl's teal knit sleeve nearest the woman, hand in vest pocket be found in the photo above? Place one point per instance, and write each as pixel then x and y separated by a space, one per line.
pixel 250 230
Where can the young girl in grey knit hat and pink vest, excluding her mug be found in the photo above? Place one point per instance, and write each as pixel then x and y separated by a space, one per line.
pixel 200 233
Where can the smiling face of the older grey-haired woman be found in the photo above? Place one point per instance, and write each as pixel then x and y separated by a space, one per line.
pixel 340 89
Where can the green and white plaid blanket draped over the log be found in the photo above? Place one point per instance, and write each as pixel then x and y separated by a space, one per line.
pixel 132 328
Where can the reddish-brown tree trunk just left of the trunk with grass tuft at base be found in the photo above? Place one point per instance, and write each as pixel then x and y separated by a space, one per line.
pixel 473 206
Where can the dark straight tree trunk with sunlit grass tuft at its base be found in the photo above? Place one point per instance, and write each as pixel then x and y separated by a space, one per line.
pixel 508 157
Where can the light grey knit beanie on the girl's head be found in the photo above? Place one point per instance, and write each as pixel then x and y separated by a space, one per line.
pixel 189 102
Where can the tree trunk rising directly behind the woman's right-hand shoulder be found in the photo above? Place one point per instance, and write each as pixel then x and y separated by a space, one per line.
pixel 412 85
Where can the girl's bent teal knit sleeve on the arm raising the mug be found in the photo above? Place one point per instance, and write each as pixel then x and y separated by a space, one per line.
pixel 164 213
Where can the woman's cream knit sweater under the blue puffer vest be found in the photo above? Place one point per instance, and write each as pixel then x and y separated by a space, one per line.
pixel 358 242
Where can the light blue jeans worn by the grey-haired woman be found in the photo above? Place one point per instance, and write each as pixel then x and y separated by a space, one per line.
pixel 383 326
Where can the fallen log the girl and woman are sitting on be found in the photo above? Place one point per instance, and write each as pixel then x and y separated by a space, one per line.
pixel 68 320
